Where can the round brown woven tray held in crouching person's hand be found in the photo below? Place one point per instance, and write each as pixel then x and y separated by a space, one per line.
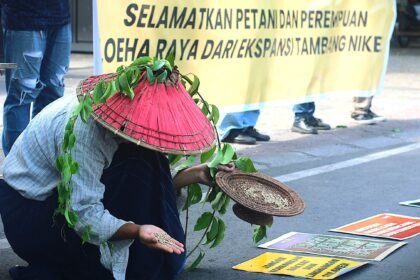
pixel 260 193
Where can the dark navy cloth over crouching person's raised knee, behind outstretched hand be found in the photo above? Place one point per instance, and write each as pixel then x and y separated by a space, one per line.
pixel 139 189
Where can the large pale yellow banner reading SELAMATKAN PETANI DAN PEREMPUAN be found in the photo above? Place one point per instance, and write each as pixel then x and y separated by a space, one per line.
pixel 250 53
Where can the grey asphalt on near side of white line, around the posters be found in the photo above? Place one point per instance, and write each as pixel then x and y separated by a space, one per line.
pixel 332 200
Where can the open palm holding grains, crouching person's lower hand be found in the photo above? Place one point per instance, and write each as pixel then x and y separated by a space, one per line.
pixel 155 238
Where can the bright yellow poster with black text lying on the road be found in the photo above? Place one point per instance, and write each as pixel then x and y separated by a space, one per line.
pixel 299 266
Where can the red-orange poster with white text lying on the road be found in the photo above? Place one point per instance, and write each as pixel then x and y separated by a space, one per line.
pixel 384 225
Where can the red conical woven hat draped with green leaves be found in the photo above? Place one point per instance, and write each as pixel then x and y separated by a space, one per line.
pixel 194 138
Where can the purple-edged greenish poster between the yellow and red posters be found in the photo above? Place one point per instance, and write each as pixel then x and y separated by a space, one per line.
pixel 336 246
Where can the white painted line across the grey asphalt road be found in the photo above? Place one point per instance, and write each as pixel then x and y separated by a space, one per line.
pixel 347 163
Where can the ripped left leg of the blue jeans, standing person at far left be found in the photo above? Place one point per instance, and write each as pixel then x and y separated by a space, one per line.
pixel 23 84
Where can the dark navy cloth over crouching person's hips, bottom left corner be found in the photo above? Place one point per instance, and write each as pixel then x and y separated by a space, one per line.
pixel 53 251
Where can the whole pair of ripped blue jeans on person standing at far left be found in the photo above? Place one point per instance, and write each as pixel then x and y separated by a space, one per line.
pixel 42 59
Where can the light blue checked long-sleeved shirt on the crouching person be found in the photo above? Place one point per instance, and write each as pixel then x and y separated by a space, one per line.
pixel 30 169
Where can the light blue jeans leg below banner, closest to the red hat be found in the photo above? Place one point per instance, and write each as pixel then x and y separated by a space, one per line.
pixel 238 120
